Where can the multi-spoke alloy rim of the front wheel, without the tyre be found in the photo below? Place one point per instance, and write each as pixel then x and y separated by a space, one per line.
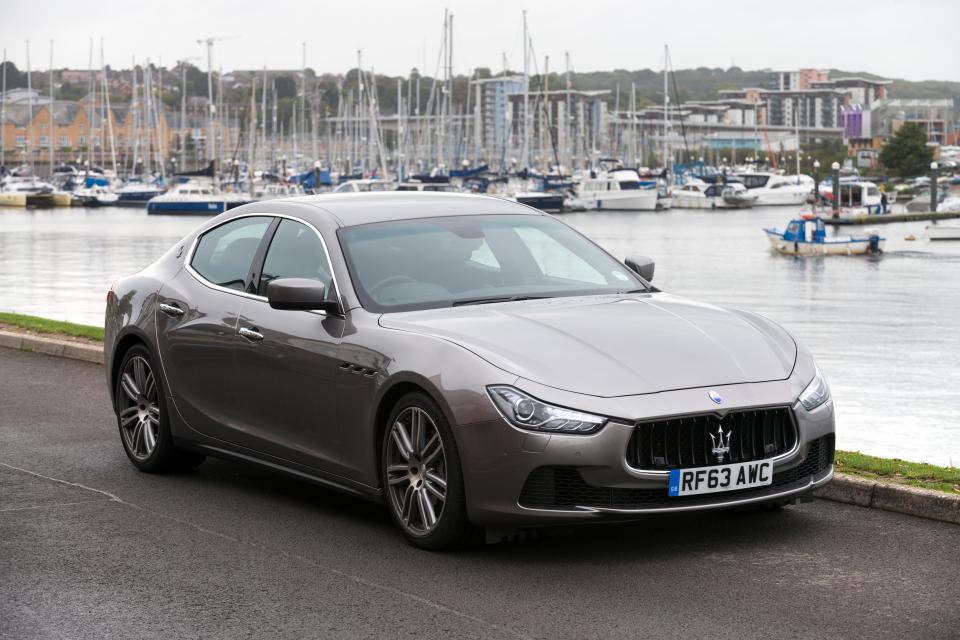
pixel 416 471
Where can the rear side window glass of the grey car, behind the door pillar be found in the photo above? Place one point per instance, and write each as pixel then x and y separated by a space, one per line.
pixel 224 254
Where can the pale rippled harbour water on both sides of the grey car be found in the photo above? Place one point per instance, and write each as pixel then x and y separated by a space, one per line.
pixel 884 330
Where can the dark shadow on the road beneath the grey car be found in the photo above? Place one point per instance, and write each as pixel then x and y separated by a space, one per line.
pixel 657 537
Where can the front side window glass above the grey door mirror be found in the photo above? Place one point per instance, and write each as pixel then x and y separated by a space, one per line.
pixel 295 252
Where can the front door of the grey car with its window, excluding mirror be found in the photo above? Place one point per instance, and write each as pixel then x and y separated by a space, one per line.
pixel 286 361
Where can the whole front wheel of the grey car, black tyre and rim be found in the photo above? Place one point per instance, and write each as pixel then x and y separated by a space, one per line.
pixel 414 475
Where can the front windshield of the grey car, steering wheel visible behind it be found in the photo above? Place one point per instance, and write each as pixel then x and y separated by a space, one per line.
pixel 441 262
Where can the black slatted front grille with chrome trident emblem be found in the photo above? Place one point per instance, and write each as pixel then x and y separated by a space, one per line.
pixel 684 442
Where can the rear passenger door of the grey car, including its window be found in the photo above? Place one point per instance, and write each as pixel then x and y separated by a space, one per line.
pixel 197 317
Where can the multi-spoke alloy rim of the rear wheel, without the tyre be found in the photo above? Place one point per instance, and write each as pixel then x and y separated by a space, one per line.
pixel 138 408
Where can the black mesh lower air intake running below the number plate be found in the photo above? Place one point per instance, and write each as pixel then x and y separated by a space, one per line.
pixel 564 487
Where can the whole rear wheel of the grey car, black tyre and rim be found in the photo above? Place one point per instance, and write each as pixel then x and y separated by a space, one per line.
pixel 141 409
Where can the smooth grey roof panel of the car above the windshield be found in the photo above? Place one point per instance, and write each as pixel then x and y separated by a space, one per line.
pixel 351 209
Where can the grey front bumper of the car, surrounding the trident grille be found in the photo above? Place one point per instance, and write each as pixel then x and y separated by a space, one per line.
pixel 516 477
